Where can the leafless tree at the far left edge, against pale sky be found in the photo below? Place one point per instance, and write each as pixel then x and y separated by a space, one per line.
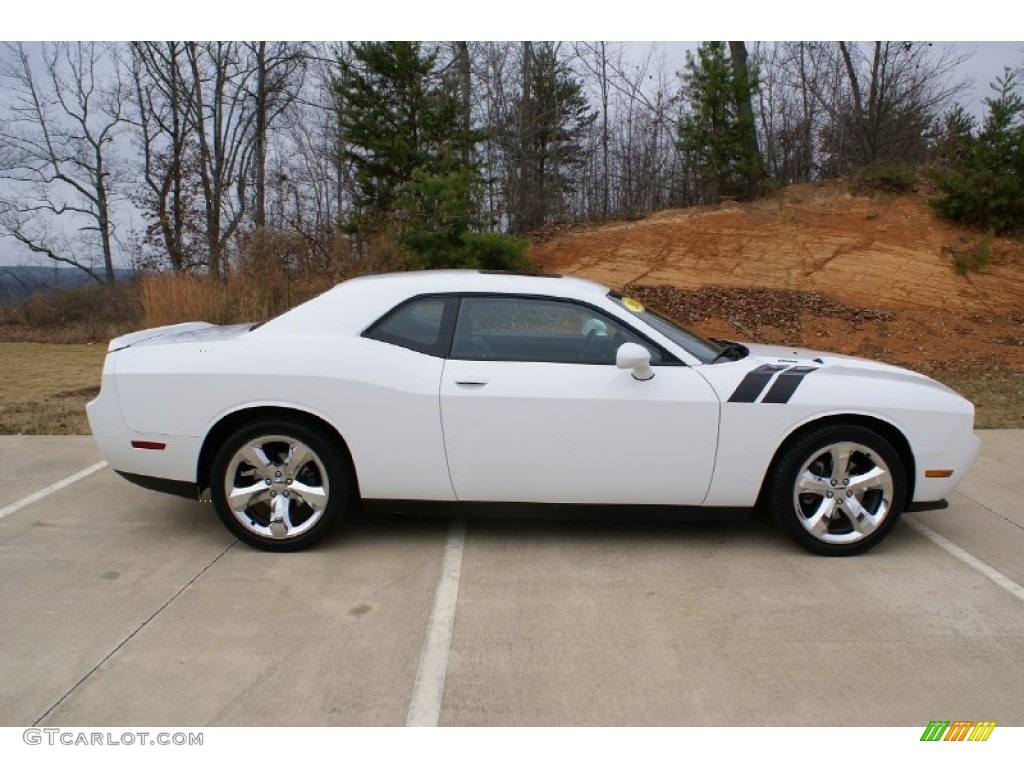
pixel 62 123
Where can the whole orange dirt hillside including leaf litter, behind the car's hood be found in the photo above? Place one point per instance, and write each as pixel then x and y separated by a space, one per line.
pixel 817 266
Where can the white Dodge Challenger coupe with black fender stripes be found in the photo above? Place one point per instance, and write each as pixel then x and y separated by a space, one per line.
pixel 497 390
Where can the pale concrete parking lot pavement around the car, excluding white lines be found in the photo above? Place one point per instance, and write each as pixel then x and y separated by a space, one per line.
pixel 122 607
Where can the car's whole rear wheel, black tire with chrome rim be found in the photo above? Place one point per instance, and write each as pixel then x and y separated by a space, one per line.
pixel 279 486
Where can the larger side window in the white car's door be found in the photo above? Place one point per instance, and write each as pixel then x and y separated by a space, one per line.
pixel 511 328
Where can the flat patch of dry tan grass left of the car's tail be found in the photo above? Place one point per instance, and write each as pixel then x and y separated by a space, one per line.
pixel 45 388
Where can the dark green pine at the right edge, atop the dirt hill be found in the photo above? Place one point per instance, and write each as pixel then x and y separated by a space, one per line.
pixel 984 182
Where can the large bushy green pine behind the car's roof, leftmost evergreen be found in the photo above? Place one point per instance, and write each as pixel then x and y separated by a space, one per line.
pixel 411 149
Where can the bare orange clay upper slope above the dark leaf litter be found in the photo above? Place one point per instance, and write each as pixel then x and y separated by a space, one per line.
pixel 889 252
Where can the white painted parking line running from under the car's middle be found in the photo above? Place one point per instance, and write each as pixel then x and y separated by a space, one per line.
pixel 425 707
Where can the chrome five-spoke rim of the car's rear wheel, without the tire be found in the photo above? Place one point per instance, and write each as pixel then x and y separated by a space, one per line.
pixel 277 487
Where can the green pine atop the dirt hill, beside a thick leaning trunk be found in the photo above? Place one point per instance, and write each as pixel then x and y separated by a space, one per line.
pixel 715 136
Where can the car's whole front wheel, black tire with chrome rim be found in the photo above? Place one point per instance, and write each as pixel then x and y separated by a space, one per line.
pixel 807 497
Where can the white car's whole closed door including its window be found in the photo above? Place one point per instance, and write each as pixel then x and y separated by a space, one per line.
pixel 535 410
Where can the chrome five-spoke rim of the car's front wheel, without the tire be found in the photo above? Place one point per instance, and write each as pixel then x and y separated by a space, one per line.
pixel 843 493
